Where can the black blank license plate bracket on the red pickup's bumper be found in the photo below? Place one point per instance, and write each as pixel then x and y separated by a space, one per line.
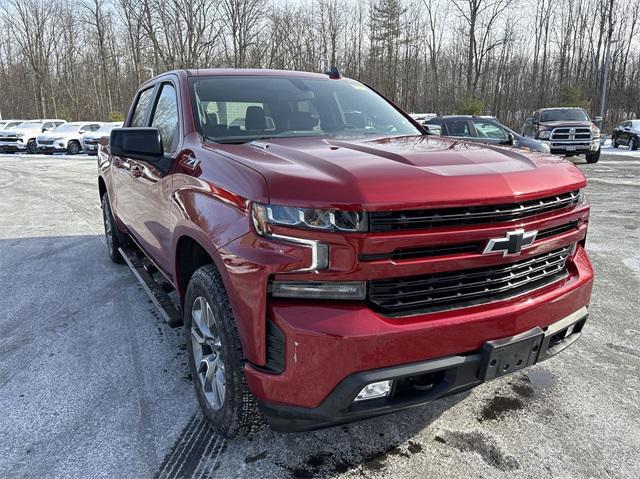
pixel 505 356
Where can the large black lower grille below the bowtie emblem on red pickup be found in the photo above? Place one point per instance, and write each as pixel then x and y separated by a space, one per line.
pixel 457 289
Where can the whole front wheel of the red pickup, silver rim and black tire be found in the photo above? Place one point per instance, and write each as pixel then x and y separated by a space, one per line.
pixel 216 359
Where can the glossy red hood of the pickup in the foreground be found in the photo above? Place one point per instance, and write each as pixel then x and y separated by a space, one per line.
pixel 400 172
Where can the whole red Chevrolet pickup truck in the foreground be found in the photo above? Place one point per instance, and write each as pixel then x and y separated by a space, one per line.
pixel 330 260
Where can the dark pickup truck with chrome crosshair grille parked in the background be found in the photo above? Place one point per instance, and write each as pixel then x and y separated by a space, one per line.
pixel 567 131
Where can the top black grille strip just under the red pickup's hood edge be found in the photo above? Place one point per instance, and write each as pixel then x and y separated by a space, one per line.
pixel 380 221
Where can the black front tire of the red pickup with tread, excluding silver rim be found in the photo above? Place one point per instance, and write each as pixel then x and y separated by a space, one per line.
pixel 239 414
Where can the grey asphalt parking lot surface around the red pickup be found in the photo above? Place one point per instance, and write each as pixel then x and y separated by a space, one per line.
pixel 94 384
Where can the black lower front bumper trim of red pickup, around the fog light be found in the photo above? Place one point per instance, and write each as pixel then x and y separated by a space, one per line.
pixel 422 382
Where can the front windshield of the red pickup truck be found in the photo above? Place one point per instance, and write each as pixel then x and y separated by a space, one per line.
pixel 240 109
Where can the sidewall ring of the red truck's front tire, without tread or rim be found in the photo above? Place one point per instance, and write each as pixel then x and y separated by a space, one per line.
pixel 222 419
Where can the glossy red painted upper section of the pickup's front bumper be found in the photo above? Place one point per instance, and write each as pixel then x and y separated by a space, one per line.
pixel 326 342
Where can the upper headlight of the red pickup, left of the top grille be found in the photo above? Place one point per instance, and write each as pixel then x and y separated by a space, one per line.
pixel 309 218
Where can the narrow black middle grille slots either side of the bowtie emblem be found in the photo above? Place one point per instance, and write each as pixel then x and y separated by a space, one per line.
pixel 460 248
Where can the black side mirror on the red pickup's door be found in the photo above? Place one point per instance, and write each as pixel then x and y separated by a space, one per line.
pixel 136 143
